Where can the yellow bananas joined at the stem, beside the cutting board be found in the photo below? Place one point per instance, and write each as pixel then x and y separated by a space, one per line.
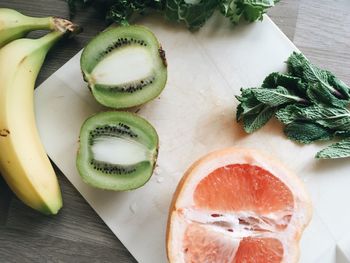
pixel 23 161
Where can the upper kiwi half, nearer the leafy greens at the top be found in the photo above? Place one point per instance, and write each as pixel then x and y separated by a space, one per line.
pixel 124 66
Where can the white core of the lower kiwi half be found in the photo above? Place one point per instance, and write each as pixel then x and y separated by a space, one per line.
pixel 119 151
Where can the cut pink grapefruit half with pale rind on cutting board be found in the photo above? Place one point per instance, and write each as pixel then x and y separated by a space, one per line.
pixel 234 206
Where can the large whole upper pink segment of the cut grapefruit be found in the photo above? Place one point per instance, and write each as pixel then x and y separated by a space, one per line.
pixel 246 187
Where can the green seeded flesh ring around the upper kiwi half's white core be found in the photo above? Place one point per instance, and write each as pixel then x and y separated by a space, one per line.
pixel 124 96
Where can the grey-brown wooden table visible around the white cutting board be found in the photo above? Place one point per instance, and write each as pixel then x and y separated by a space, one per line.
pixel 321 29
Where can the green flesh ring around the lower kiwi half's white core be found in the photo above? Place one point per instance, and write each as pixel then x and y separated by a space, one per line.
pixel 87 174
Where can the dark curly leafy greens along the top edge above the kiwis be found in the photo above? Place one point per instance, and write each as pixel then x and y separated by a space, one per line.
pixel 194 13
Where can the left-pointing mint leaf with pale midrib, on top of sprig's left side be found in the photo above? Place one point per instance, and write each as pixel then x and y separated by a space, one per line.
pixel 275 97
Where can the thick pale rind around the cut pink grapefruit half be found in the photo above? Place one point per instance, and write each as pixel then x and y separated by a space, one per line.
pixel 184 199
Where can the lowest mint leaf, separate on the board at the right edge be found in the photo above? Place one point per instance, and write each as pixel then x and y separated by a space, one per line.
pixel 337 150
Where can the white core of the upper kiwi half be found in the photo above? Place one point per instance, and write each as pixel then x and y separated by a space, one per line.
pixel 124 65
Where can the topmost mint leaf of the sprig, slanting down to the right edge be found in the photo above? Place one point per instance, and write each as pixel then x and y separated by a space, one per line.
pixel 319 81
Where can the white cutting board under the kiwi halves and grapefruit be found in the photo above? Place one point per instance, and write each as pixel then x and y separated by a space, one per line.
pixel 194 115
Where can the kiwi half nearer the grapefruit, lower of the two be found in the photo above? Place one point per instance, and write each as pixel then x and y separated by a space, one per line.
pixel 118 151
